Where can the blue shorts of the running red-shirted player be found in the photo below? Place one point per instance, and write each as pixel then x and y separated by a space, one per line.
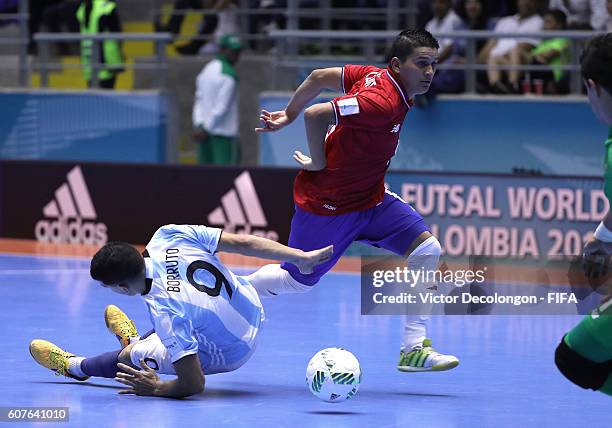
pixel 393 225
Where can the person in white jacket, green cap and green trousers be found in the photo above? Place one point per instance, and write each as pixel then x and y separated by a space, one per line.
pixel 215 108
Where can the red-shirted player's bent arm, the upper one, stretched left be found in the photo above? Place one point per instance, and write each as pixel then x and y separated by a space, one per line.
pixel 324 78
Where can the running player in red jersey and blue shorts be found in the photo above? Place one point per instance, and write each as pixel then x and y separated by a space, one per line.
pixel 340 195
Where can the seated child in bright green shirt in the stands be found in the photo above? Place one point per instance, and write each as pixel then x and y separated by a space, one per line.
pixel 554 52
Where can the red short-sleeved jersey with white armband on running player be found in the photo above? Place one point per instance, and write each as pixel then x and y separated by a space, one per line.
pixel 359 147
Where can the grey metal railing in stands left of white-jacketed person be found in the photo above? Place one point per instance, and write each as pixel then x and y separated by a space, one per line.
pixel 45 66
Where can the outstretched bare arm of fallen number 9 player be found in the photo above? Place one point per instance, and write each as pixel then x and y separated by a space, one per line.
pixel 255 246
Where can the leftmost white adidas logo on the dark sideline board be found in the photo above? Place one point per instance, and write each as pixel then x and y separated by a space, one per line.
pixel 74 215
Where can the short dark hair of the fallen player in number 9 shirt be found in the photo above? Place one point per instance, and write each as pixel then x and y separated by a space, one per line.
pixel 116 262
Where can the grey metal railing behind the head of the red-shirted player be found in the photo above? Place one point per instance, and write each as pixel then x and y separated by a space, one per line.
pixel 286 56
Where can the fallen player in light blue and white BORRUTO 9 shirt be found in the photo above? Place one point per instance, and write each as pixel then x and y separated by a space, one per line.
pixel 205 317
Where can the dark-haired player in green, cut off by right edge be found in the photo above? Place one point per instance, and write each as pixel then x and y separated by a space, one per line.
pixel 584 355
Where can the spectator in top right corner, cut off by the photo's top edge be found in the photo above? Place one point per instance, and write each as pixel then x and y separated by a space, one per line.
pixel 582 14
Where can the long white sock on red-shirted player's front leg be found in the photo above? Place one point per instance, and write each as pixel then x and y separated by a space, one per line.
pixel 426 256
